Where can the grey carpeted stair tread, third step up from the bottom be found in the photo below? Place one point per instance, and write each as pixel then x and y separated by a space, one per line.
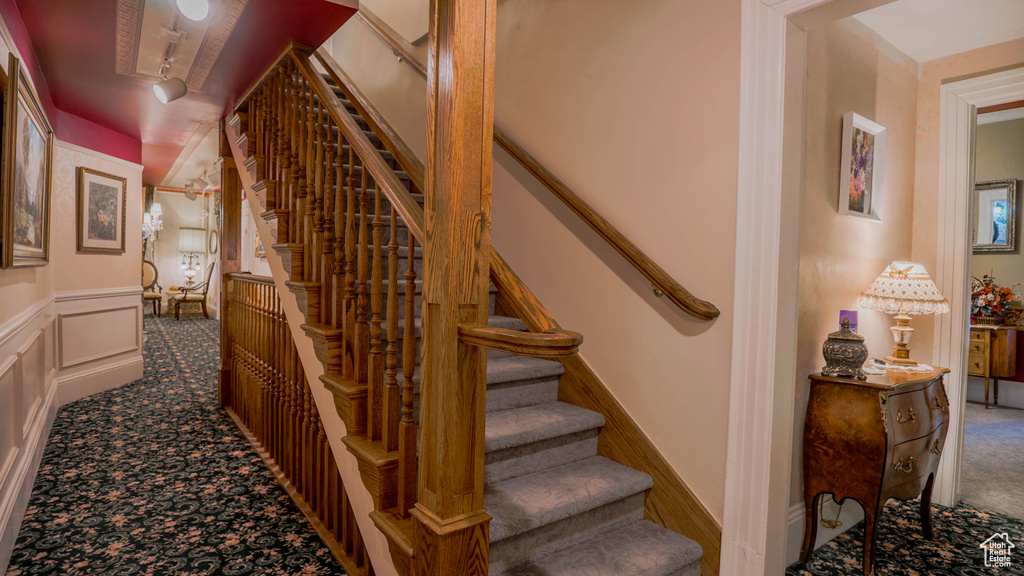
pixel 508 429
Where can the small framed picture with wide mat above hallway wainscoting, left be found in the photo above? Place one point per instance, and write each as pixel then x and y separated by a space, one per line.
pixel 102 200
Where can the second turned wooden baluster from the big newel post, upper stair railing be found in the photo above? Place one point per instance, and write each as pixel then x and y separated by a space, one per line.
pixel 393 404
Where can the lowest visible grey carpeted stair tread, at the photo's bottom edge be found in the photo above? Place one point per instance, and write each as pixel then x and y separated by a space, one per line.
pixel 643 549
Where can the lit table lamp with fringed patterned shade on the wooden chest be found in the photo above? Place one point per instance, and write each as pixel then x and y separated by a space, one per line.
pixel 904 290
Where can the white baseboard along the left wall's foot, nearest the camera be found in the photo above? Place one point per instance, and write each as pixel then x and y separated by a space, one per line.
pixel 16 502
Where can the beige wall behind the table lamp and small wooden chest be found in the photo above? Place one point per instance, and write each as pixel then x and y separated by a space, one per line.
pixel 849 68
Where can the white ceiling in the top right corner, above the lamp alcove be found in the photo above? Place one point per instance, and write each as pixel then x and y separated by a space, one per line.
pixel 926 30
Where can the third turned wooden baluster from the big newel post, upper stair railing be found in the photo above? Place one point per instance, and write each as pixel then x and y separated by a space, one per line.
pixel 375 394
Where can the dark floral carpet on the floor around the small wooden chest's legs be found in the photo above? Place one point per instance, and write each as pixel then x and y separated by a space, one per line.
pixel 902 551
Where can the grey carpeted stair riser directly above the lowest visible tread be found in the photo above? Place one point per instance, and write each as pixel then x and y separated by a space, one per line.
pixel 563 534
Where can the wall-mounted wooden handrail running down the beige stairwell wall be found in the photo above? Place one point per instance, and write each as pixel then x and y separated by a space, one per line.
pixel 663 283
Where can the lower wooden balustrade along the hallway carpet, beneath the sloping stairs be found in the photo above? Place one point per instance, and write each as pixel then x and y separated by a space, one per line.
pixel 270 400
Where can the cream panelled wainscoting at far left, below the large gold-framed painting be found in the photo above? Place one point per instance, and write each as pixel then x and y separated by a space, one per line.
pixel 28 405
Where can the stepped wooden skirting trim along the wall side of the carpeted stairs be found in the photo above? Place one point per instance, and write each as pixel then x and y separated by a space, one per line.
pixel 670 504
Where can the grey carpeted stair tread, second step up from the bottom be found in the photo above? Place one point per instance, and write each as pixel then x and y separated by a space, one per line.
pixel 531 502
